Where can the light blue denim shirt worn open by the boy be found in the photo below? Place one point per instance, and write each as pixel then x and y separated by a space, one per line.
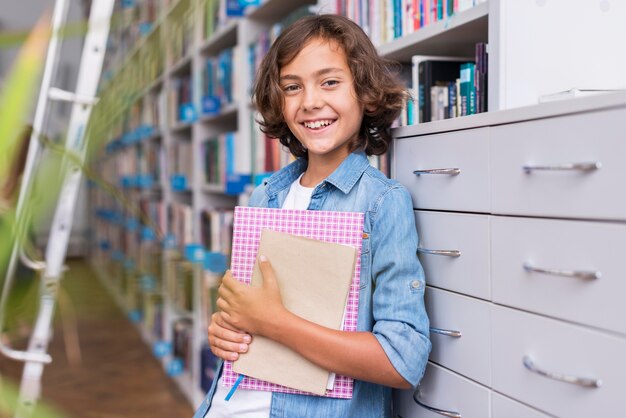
pixel 391 300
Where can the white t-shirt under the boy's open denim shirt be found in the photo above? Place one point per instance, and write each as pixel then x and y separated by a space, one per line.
pixel 246 403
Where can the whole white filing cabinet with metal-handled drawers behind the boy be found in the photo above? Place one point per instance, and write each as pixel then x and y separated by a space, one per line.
pixel 522 222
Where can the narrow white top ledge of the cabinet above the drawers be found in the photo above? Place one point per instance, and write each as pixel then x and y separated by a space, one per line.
pixel 543 110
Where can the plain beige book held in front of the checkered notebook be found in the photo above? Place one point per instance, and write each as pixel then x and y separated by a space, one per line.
pixel 314 279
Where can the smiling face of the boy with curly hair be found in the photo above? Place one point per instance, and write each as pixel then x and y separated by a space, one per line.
pixel 321 106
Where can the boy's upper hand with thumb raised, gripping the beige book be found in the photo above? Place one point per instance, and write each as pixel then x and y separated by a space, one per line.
pixel 253 309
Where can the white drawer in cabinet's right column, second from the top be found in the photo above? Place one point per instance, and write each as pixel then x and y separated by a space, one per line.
pixel 562 248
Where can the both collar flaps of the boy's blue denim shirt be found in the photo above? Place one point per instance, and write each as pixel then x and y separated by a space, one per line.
pixel 343 178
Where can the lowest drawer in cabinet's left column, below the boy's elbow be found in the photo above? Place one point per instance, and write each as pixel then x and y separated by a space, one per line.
pixel 443 390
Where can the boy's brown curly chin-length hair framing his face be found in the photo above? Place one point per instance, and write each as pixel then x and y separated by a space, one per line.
pixel 375 81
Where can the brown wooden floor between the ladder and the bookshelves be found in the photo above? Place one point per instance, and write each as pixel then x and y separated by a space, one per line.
pixel 117 375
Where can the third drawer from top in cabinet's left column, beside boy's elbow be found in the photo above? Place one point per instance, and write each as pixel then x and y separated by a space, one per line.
pixel 460 325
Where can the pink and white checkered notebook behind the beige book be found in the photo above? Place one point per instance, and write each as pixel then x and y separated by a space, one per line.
pixel 329 226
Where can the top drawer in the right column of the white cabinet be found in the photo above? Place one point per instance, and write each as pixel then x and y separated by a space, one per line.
pixel 553 143
